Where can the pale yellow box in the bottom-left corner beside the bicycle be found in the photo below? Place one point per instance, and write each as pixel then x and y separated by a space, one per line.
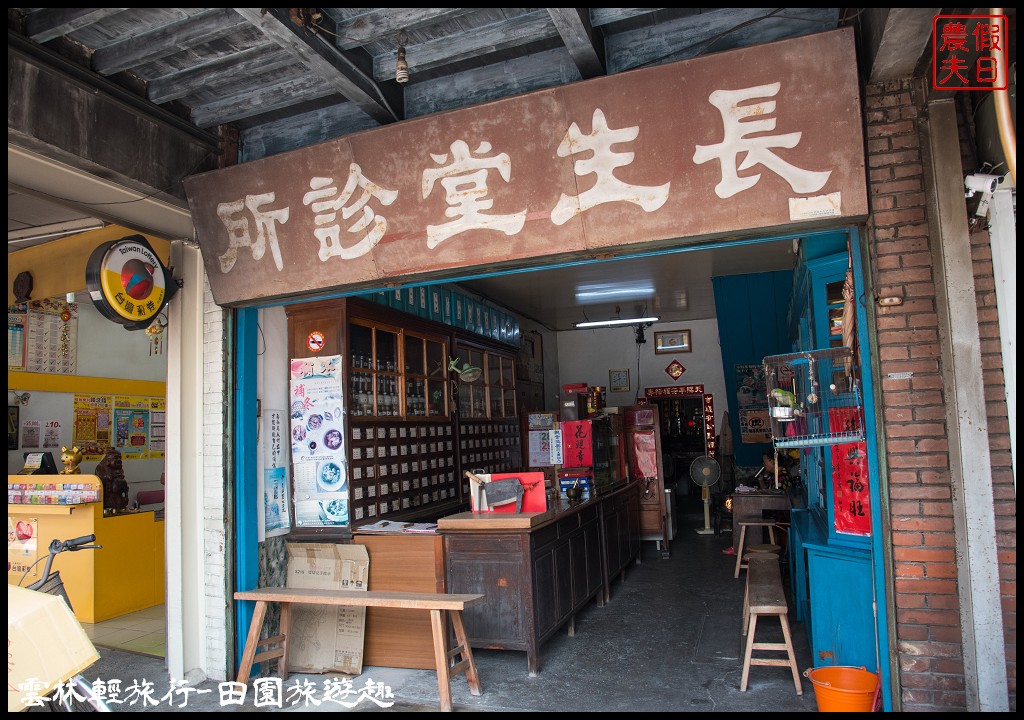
pixel 46 645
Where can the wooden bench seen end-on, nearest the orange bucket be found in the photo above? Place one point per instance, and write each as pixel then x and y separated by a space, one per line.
pixel 765 597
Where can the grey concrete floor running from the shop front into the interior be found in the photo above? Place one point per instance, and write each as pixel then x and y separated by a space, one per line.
pixel 669 641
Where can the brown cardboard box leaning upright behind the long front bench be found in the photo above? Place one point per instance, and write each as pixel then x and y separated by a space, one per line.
pixel 324 639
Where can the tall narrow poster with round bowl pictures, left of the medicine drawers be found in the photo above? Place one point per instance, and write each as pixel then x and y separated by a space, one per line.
pixel 317 427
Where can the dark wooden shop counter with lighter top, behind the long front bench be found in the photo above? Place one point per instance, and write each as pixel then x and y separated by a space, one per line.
pixel 537 573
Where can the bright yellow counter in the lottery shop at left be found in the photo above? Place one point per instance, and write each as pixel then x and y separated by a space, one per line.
pixel 125 576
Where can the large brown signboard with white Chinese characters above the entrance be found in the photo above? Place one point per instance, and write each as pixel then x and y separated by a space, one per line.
pixel 484 186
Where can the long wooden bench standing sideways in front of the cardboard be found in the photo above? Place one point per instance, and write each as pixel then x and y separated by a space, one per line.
pixel 437 604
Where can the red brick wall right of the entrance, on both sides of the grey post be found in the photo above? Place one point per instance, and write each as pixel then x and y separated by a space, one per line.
pixel 927 614
